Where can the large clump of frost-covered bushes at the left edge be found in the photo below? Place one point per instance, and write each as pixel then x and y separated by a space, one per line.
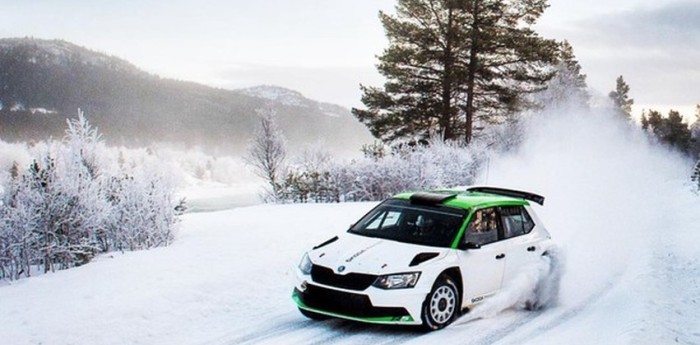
pixel 61 210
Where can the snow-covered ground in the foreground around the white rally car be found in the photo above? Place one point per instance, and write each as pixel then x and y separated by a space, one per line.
pixel 226 281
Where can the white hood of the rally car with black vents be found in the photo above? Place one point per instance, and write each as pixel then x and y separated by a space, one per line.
pixel 360 254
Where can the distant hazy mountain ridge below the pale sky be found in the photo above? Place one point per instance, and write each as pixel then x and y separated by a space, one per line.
pixel 43 82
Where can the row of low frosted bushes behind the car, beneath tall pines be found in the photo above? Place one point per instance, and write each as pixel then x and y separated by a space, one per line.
pixel 439 164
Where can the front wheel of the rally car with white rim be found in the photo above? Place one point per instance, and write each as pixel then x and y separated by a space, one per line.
pixel 441 306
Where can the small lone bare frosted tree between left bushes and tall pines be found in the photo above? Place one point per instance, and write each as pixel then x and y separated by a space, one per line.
pixel 267 153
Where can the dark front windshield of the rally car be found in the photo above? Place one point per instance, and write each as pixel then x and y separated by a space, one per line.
pixel 402 221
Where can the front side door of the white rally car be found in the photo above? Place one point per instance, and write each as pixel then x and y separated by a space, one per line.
pixel 483 261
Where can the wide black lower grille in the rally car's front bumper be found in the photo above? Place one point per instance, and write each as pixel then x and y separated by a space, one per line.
pixel 345 303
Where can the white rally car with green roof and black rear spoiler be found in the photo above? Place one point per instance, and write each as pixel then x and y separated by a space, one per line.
pixel 423 258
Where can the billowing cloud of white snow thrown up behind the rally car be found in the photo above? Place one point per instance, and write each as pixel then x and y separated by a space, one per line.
pixel 609 193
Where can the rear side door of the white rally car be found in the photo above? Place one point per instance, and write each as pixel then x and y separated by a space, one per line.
pixel 522 246
